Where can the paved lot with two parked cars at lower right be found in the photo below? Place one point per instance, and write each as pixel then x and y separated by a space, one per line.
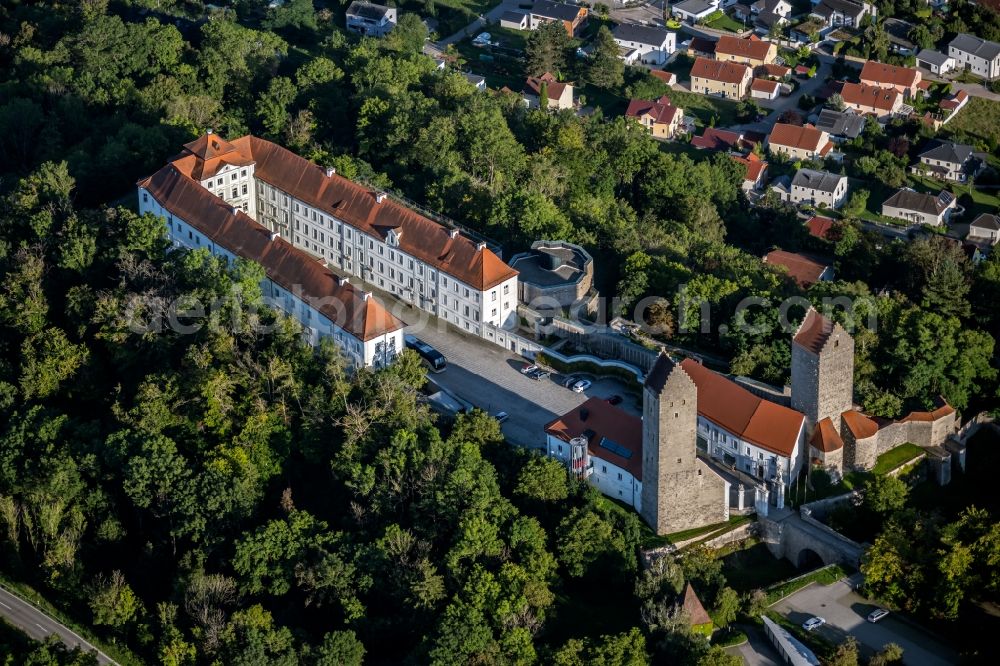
pixel 846 612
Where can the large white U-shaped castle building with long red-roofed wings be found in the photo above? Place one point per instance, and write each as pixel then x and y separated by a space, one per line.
pixel 228 195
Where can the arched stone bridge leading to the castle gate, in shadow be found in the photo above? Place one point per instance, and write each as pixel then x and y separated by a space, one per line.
pixel 805 542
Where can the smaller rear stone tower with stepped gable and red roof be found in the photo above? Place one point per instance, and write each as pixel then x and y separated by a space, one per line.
pixel 822 369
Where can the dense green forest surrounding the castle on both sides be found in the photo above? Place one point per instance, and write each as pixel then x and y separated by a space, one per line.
pixel 234 498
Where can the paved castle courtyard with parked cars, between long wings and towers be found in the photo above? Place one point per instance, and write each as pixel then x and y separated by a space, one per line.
pixel 490 378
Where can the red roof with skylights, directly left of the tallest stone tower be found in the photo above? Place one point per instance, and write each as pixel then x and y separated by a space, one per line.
pixel 604 420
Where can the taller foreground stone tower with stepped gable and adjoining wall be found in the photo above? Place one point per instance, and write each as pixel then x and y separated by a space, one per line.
pixel 679 491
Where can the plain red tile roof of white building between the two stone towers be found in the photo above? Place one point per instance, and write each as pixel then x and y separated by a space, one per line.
pixel 729 405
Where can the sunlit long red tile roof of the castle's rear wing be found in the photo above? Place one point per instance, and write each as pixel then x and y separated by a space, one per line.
pixel 355 204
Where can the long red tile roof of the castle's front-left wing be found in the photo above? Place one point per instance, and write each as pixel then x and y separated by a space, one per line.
pixel 287 266
